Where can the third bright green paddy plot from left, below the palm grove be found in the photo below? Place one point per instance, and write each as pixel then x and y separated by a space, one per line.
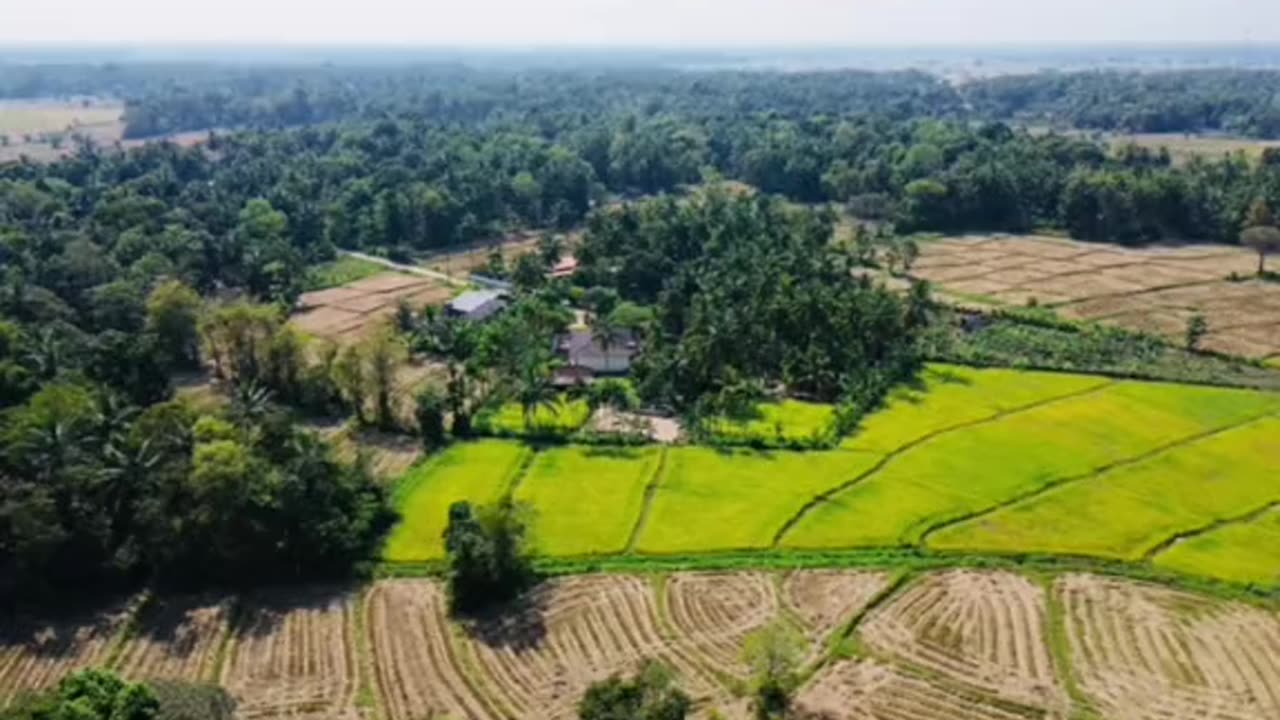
pixel 732 500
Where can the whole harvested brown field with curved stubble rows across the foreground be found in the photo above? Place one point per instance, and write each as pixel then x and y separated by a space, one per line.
pixel 941 646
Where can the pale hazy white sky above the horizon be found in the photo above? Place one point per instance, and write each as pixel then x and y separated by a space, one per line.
pixel 641 22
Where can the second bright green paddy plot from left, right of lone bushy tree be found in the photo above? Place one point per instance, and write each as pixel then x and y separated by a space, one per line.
pixel 587 499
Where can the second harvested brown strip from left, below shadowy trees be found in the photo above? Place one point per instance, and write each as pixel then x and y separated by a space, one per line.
pixel 176 640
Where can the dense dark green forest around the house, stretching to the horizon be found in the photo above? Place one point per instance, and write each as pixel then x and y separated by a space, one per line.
pixel 124 271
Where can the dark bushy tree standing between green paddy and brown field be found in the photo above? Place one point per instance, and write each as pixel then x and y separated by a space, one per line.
pixel 487 553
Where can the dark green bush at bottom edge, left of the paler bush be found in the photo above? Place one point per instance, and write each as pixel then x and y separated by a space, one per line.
pixel 652 695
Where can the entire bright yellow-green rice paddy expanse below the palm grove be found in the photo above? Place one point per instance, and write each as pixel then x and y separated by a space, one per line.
pixel 990 463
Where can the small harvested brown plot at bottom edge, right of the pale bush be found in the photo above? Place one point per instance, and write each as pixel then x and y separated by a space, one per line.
pixel 871 691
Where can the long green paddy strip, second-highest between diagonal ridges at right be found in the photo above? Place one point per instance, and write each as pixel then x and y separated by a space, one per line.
pixel 985 466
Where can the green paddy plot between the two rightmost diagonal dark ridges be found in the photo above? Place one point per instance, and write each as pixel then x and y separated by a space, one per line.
pixel 1128 512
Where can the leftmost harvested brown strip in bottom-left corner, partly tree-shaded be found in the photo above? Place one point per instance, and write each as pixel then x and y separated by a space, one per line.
pixel 35 655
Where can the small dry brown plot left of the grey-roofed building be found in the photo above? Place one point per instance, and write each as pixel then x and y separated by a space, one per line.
pixel 348 313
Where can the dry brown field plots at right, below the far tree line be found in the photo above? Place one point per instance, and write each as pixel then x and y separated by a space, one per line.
pixel 1153 289
